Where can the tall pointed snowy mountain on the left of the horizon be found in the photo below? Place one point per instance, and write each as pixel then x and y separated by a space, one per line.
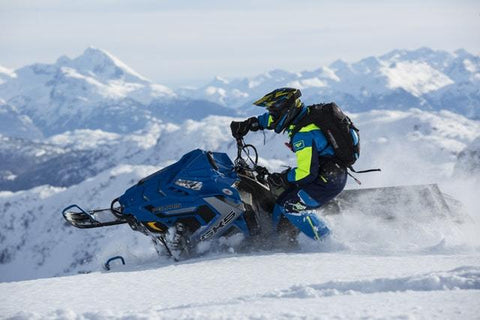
pixel 95 91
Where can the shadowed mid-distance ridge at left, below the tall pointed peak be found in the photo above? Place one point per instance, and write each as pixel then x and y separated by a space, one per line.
pixel 69 158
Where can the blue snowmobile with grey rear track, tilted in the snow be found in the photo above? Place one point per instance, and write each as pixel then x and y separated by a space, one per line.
pixel 205 197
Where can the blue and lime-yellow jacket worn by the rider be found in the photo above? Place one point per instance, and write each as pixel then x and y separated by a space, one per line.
pixel 308 144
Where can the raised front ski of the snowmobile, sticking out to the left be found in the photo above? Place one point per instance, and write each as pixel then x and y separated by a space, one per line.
pixel 91 219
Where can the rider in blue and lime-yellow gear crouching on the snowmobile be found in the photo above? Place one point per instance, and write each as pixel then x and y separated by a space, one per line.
pixel 315 180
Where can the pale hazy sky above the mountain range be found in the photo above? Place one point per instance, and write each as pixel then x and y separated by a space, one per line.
pixel 181 42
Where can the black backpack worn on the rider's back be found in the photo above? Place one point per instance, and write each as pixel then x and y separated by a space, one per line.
pixel 339 130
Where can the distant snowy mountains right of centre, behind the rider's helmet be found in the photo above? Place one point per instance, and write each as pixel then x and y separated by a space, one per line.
pixel 399 80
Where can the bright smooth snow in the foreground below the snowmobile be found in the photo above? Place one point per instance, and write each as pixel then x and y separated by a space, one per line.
pixel 262 286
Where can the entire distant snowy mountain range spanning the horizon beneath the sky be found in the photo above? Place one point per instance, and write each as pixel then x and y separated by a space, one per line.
pixel 97 91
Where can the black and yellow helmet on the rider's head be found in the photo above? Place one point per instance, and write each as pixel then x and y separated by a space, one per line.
pixel 284 105
